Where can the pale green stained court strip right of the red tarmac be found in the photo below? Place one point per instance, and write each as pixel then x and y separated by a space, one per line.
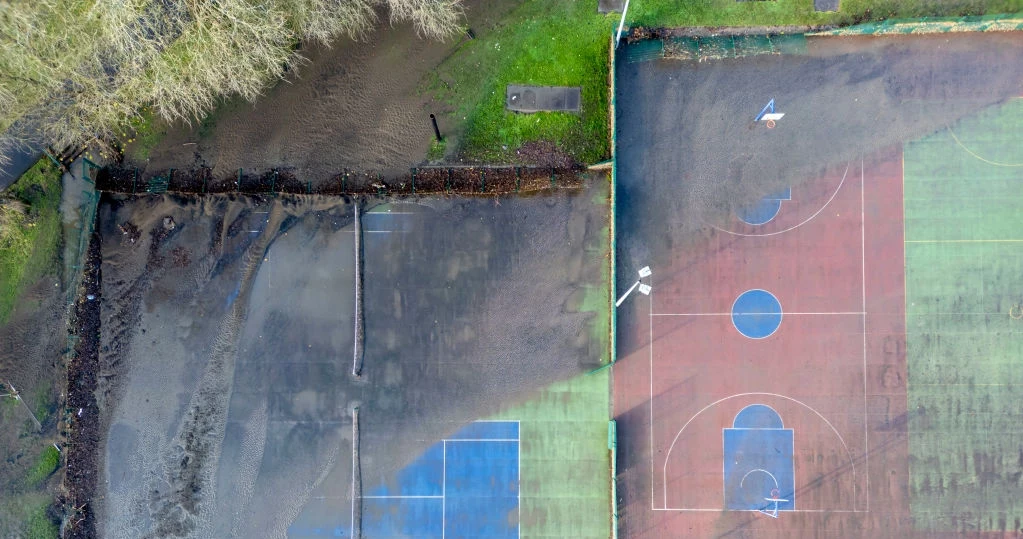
pixel 964 257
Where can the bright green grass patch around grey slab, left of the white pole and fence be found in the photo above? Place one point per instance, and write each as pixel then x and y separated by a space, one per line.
pixel 543 43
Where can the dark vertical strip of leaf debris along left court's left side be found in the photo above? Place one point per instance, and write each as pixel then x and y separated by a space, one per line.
pixel 81 415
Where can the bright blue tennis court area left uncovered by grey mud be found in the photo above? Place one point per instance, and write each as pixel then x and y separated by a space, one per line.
pixel 464 486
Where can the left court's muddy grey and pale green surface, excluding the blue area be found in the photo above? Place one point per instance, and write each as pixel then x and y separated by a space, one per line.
pixel 228 392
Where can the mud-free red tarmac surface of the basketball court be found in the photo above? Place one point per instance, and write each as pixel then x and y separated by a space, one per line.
pixel 834 371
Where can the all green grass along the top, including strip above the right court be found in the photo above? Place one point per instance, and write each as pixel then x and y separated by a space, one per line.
pixel 566 44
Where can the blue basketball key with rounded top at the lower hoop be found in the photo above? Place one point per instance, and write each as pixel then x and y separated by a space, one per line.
pixel 759 462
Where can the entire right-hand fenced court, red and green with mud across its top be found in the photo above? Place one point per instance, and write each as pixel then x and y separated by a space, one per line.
pixel 826 349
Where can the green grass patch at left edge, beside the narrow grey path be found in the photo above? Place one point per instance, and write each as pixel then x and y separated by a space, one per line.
pixel 30 232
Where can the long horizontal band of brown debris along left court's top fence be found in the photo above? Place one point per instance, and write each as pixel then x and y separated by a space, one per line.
pixel 463 181
